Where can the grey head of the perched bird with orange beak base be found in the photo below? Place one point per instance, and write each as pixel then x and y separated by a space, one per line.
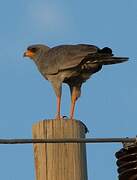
pixel 35 51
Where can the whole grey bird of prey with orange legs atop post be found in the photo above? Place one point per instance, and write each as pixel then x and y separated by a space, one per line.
pixel 70 64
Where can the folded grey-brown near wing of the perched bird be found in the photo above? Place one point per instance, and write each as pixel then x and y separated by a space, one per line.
pixel 66 56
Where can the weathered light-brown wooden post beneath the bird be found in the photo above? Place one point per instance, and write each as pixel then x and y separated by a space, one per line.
pixel 60 161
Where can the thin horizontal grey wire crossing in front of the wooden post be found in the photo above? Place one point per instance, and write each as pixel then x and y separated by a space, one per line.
pixel 69 140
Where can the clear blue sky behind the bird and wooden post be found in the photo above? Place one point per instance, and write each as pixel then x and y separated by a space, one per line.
pixel 109 99
